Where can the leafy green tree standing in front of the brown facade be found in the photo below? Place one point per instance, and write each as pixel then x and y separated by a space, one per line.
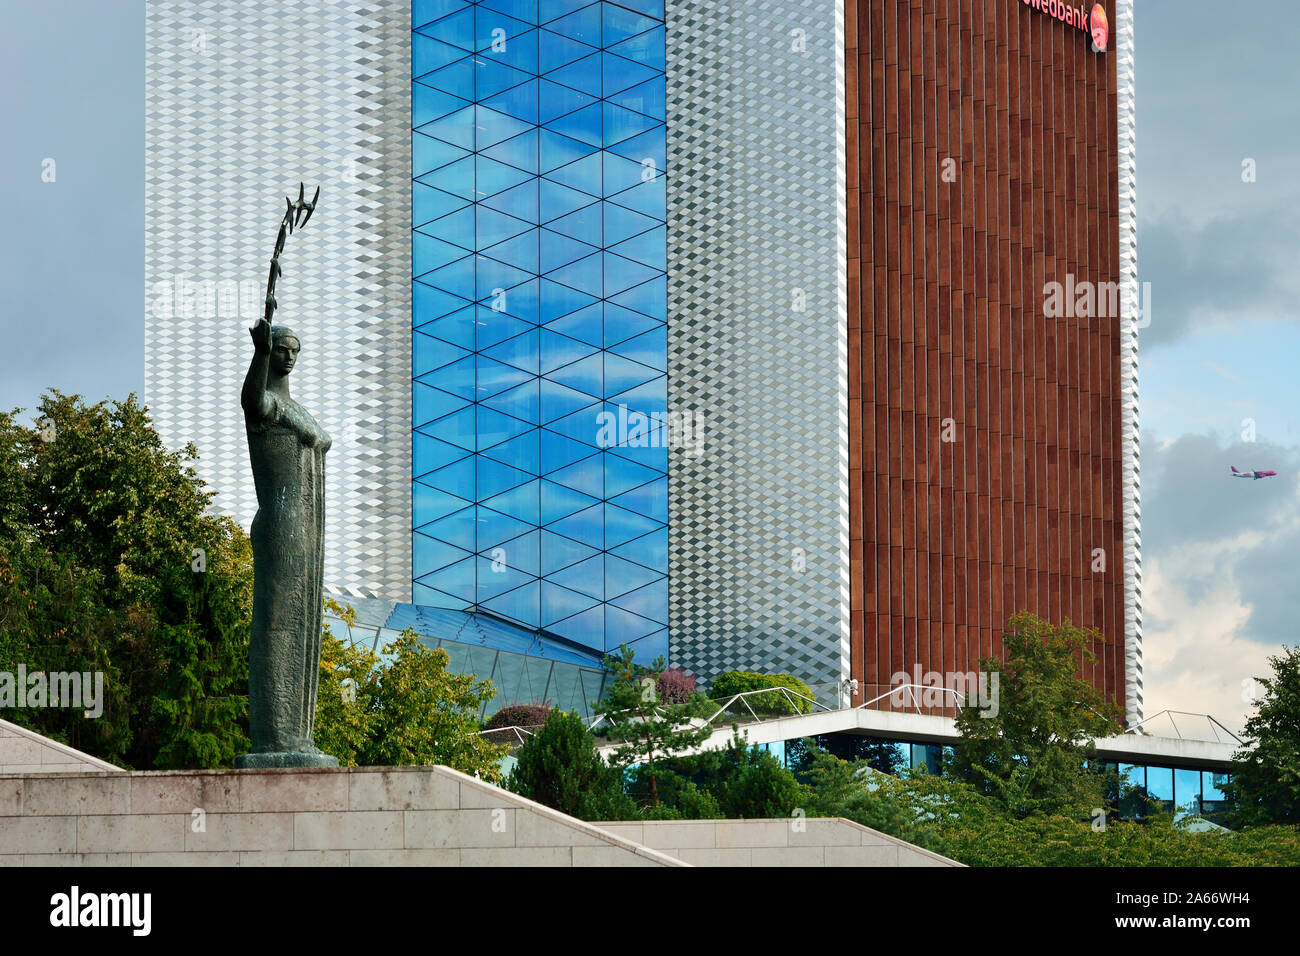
pixel 1033 752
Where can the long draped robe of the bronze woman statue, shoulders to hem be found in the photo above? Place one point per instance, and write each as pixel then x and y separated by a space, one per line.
pixel 288 452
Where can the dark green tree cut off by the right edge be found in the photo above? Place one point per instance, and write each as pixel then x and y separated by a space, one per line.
pixel 1266 784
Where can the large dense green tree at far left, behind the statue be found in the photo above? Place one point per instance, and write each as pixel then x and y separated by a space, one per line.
pixel 105 531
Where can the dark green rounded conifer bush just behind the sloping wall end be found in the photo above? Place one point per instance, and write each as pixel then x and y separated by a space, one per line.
pixel 560 767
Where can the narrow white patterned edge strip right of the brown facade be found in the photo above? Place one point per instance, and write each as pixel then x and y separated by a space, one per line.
pixel 1136 314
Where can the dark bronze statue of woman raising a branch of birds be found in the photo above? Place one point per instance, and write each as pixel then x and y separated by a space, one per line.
pixel 288 452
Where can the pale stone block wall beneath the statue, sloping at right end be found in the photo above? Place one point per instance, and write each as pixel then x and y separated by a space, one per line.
pixel 348 817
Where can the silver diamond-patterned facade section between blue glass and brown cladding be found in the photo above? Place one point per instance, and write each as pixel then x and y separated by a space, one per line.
pixel 759 546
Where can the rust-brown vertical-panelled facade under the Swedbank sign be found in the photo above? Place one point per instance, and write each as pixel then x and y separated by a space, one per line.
pixel 982 165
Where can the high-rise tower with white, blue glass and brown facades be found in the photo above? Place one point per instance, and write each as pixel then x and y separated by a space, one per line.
pixel 713 327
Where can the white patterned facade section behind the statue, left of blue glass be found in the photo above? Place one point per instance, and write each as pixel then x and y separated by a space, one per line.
pixel 245 100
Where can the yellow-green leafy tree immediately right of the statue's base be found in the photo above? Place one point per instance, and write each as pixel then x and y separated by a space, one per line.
pixel 402 708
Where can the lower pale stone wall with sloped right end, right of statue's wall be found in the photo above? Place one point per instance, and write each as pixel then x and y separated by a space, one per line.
pixel 775 843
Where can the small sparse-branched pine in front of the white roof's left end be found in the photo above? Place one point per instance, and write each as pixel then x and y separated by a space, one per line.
pixel 651 728
